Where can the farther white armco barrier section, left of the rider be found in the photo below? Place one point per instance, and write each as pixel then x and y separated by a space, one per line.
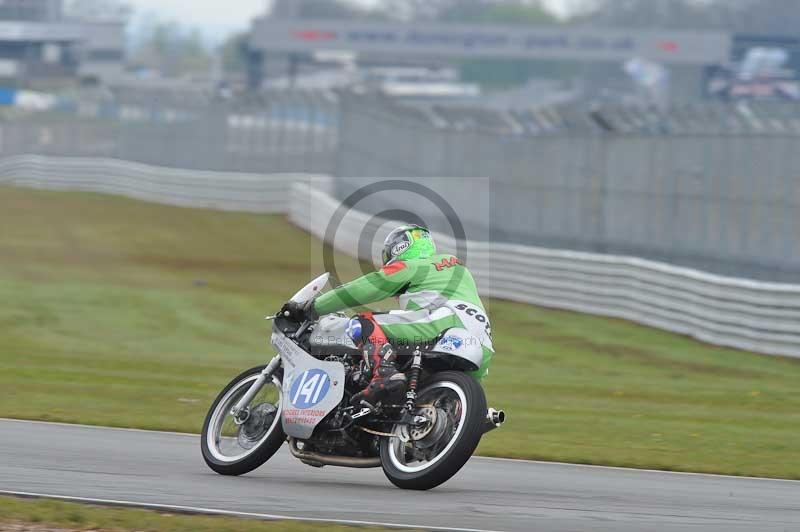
pixel 229 191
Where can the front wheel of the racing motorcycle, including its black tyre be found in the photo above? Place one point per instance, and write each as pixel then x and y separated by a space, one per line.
pixel 236 447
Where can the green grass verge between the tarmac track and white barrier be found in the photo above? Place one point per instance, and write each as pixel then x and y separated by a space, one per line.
pixel 124 313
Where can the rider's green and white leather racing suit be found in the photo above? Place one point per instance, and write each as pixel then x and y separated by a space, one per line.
pixel 436 293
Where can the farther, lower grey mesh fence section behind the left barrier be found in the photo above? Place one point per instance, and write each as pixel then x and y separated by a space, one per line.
pixel 272 132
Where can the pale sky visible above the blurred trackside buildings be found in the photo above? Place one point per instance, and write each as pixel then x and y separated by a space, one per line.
pixel 216 19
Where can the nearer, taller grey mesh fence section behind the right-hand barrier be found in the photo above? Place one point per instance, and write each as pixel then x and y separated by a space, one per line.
pixel 717 189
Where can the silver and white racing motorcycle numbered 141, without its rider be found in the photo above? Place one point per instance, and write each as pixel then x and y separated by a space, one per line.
pixel 303 396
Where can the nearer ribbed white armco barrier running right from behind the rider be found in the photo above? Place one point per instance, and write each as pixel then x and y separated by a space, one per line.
pixel 757 316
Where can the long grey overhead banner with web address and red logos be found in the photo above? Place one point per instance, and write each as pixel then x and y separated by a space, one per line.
pixel 461 40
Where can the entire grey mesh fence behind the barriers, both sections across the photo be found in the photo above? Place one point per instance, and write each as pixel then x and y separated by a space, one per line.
pixel 711 186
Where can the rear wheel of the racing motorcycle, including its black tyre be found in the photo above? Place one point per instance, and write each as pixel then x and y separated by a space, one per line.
pixel 421 458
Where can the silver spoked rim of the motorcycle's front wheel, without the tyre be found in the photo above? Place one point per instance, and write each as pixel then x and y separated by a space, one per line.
pixel 229 441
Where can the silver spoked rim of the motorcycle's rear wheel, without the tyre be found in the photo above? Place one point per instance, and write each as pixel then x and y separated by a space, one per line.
pixel 449 402
